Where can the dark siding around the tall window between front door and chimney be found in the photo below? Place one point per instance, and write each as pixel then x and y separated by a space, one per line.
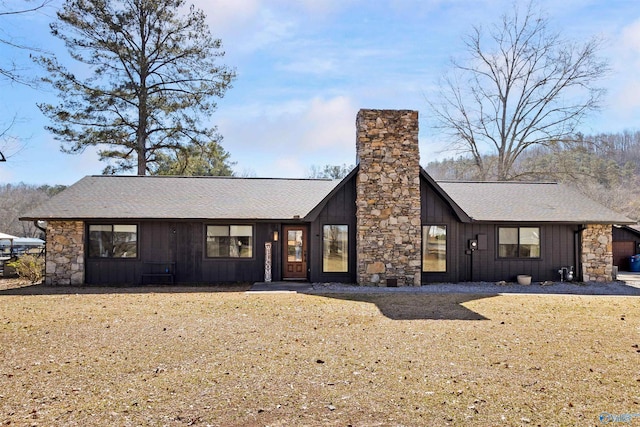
pixel 339 210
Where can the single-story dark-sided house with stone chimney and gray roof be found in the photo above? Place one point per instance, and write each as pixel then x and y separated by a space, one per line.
pixel 387 223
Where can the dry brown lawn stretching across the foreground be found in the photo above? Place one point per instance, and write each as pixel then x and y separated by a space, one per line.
pixel 223 357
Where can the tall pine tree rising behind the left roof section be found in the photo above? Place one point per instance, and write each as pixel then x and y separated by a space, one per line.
pixel 152 76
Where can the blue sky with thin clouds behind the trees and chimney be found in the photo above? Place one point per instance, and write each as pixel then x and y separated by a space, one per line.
pixel 305 67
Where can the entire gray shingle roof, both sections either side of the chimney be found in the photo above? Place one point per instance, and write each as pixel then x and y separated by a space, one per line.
pixel 170 197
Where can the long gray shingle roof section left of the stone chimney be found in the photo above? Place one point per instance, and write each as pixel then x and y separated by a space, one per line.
pixel 164 197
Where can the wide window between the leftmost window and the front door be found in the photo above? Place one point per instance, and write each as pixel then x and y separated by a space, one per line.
pixel 229 241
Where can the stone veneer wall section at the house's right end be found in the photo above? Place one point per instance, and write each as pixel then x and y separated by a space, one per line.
pixel 597 253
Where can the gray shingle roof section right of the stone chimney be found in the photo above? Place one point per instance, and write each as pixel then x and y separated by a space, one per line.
pixel 528 202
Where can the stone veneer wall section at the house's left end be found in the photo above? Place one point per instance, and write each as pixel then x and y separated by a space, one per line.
pixel 65 253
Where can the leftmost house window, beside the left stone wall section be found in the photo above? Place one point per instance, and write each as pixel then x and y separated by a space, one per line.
pixel 113 241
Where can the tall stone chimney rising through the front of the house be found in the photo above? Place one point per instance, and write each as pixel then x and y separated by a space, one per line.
pixel 388 233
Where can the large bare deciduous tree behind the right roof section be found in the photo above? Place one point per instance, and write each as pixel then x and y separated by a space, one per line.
pixel 522 86
